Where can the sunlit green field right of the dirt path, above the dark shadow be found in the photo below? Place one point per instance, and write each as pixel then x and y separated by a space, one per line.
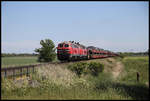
pixel 134 65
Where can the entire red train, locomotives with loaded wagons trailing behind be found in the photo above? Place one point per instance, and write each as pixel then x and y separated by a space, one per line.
pixel 70 50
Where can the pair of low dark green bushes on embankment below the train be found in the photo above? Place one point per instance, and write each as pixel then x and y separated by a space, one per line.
pixel 93 68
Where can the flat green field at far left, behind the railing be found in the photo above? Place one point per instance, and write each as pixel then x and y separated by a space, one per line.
pixel 18 61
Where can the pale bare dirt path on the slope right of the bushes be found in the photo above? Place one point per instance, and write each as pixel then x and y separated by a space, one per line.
pixel 117 69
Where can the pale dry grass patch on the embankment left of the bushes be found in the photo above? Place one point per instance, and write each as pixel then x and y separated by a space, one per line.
pixel 57 74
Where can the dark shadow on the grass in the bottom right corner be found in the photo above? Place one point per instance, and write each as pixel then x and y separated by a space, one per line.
pixel 136 91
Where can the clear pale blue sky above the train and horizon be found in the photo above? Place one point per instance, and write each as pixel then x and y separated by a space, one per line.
pixel 115 26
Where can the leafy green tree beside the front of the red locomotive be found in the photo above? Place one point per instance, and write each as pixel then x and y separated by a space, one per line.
pixel 47 51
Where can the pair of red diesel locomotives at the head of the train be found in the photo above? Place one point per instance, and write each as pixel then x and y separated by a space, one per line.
pixel 71 51
